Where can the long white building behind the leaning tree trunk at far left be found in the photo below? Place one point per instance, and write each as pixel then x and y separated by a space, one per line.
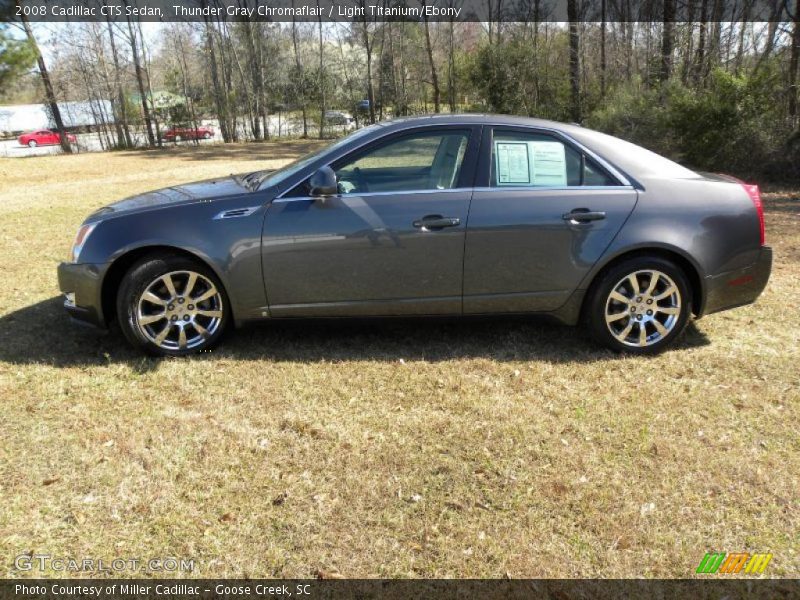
pixel 18 118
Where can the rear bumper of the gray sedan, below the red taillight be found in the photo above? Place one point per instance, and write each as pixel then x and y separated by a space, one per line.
pixel 739 287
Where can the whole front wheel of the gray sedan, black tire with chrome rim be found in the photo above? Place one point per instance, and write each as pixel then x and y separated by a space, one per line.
pixel 145 274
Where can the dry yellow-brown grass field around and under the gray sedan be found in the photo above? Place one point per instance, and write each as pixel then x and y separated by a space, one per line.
pixel 453 449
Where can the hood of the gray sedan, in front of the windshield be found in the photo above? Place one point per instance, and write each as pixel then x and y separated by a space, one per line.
pixel 211 189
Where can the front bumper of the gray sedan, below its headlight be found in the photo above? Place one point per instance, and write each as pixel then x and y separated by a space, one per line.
pixel 82 286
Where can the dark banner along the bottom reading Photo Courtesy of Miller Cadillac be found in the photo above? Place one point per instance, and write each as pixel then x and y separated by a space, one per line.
pixel 432 589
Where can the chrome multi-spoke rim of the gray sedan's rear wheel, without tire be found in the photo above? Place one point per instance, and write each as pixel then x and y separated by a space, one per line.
pixel 643 308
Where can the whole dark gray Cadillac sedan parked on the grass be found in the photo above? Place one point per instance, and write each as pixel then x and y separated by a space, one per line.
pixel 444 215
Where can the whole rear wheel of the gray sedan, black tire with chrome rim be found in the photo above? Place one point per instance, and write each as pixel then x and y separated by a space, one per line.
pixel 618 279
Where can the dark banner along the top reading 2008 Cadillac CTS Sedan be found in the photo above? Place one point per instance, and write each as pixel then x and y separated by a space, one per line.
pixel 401 10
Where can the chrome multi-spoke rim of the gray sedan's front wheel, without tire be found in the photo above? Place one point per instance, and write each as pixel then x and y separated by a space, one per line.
pixel 179 310
